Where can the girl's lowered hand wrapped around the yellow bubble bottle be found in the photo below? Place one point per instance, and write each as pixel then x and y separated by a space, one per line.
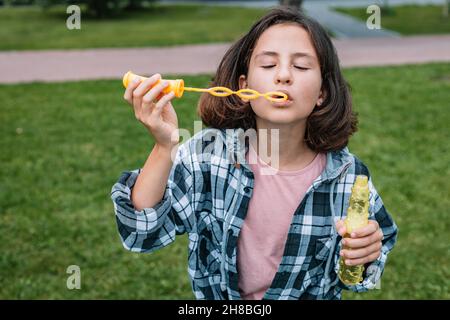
pixel 365 243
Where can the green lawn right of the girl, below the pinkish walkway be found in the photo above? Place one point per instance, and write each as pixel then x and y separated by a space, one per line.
pixel 403 138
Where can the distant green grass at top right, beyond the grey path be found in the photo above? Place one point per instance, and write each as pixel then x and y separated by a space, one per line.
pixel 407 19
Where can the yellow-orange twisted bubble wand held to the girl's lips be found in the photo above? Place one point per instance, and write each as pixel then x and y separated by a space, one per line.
pixel 177 86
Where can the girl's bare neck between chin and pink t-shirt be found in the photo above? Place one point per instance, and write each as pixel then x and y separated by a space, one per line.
pixel 285 150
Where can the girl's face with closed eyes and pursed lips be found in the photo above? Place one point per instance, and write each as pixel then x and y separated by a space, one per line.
pixel 284 59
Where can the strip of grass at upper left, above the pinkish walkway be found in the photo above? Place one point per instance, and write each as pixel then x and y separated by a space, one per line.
pixel 33 28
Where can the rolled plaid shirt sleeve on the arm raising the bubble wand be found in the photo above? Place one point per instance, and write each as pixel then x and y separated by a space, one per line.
pixel 149 229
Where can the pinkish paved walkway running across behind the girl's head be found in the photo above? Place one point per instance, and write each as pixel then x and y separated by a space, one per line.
pixel 65 65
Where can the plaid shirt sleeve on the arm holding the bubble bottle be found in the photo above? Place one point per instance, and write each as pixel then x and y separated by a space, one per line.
pixel 374 270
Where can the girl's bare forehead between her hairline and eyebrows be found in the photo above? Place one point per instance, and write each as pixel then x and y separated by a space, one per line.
pixel 284 39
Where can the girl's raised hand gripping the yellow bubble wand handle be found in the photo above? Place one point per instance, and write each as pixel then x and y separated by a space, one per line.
pixel 154 110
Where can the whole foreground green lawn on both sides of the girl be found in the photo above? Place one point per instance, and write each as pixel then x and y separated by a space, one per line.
pixel 75 139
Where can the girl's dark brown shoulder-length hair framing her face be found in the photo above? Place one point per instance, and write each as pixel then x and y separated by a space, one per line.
pixel 328 127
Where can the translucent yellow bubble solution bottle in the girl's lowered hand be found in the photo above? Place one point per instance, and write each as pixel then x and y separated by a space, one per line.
pixel 357 217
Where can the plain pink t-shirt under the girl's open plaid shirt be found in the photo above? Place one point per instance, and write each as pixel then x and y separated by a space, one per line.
pixel 264 232
